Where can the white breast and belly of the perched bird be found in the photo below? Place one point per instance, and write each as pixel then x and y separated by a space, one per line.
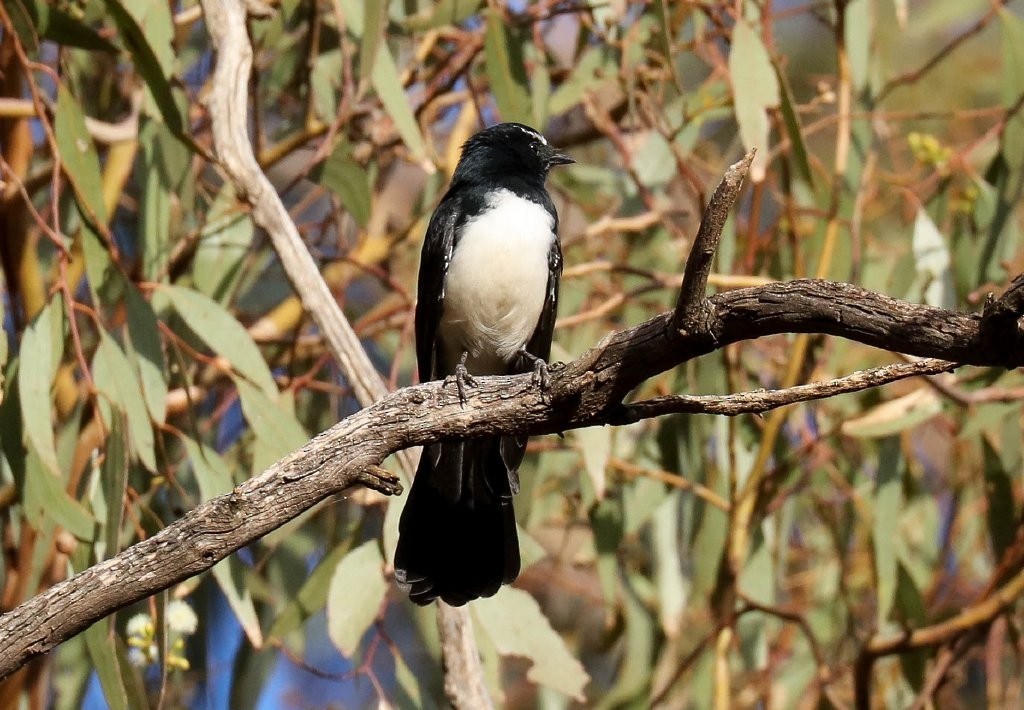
pixel 497 283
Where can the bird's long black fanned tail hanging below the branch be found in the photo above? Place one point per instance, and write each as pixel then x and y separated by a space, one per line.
pixel 457 536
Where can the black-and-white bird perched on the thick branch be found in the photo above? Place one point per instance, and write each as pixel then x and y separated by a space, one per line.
pixel 487 299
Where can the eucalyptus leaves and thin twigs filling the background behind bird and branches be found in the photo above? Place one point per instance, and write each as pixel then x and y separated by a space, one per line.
pixel 153 353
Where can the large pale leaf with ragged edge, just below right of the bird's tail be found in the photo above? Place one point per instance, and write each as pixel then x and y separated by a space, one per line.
pixel 518 628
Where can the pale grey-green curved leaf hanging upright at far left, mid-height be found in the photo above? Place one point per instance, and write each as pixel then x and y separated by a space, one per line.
pixel 41 351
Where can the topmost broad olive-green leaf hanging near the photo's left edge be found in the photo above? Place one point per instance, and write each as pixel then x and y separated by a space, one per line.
pixel 78 158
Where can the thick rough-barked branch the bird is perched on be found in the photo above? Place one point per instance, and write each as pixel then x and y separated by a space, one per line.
pixel 585 393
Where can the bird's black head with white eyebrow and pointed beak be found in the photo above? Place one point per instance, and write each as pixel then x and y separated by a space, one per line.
pixel 510 150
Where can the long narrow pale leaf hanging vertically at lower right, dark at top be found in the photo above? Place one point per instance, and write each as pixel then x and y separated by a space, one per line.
pixel 888 493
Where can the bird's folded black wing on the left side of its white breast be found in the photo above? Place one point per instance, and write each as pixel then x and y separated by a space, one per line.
pixel 439 245
